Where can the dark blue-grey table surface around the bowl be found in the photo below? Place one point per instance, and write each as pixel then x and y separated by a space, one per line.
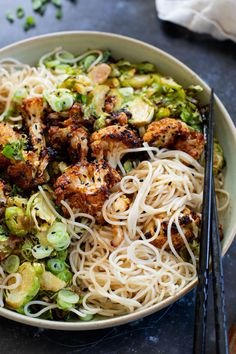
pixel 169 331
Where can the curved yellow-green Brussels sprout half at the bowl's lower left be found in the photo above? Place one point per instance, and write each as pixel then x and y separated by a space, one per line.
pixel 28 288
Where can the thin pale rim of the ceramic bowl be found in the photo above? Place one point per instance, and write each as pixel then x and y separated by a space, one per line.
pixel 119 320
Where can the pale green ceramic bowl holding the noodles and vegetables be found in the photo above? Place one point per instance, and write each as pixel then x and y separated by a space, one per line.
pixel 30 50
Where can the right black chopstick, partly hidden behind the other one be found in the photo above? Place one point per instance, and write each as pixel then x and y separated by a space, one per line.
pixel 218 283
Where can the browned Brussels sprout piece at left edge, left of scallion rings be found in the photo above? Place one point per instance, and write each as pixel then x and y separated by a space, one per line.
pixel 16 221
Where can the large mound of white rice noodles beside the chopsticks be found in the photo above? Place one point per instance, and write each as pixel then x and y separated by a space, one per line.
pixel 136 274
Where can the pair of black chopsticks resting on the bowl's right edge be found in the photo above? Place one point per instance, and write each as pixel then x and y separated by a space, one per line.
pixel 210 244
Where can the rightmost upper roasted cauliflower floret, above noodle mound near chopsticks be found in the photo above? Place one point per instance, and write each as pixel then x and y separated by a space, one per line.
pixel 173 133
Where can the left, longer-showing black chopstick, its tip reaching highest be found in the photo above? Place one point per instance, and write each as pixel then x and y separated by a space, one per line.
pixel 203 270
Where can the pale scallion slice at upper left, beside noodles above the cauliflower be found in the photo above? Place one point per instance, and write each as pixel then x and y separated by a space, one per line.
pixel 60 99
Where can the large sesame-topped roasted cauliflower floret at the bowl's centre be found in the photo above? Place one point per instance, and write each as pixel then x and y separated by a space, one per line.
pixel 85 187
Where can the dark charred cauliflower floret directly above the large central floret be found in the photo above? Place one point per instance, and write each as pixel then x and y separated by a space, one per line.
pixel 74 139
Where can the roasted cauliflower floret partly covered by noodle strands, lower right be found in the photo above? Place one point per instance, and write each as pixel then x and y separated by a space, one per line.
pixel 189 222
